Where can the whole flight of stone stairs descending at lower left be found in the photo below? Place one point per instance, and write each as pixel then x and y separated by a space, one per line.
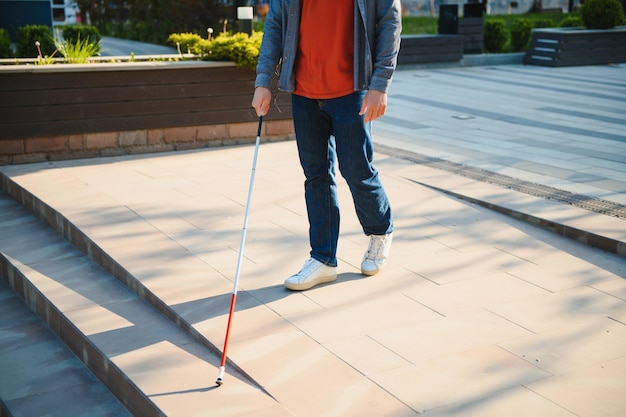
pixel 135 351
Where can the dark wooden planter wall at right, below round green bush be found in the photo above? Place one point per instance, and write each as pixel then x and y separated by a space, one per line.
pixel 574 46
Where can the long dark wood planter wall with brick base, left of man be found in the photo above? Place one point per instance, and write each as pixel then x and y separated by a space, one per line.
pixel 75 111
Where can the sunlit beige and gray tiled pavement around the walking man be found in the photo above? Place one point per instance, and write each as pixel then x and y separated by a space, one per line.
pixel 482 311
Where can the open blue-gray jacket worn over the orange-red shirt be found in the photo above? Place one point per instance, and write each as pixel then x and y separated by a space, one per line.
pixel 377 27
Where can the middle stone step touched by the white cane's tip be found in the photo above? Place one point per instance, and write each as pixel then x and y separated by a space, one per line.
pixel 150 364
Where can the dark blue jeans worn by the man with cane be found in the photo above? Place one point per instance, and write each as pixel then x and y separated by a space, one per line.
pixel 330 132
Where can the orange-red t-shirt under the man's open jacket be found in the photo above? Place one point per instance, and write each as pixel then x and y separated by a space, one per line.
pixel 324 66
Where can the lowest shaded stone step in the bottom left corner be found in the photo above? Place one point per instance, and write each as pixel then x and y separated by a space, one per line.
pixel 40 375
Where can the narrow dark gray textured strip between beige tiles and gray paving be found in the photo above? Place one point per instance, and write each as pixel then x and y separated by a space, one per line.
pixel 596 205
